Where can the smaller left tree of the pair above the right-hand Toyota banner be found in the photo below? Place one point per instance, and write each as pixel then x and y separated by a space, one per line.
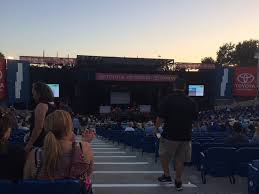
pixel 226 54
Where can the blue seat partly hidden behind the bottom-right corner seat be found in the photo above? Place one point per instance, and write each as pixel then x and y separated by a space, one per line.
pixel 243 157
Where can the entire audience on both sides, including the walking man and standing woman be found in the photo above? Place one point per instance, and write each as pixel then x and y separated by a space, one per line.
pixel 52 150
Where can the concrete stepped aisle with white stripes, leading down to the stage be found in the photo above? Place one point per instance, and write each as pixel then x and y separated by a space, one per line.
pixel 119 170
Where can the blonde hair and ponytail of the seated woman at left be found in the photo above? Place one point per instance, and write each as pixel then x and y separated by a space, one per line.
pixel 59 127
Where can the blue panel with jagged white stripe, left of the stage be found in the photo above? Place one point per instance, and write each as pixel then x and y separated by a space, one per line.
pixel 18 81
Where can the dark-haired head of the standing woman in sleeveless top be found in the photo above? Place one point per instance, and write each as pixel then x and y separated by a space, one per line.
pixel 42 92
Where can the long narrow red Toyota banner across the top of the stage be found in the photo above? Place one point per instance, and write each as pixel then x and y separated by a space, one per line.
pixel 135 77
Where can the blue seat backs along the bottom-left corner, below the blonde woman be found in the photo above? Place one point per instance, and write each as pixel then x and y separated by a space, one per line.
pixel 43 187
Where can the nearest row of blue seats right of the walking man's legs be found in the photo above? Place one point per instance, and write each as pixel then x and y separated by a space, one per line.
pixel 227 161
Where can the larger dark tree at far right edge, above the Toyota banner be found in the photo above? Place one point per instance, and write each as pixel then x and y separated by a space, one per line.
pixel 245 52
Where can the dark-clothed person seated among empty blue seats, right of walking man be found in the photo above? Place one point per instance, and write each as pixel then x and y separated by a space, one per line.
pixel 238 136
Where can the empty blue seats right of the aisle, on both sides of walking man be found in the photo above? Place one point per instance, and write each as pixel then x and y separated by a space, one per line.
pixel 209 153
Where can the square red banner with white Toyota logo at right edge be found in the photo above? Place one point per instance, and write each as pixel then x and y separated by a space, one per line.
pixel 245 81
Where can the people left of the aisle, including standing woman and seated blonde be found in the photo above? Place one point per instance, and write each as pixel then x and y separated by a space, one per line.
pixel 52 150
